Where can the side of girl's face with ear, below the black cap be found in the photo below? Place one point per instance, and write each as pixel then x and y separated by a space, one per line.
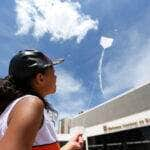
pixel 45 83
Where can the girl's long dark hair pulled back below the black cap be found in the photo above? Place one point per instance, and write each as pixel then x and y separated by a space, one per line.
pixel 11 89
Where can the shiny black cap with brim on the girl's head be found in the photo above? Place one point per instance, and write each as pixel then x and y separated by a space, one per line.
pixel 27 62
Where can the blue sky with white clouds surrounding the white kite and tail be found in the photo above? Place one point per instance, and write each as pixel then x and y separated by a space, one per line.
pixel 72 30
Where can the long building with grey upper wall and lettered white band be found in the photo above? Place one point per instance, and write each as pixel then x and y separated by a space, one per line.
pixel 122 123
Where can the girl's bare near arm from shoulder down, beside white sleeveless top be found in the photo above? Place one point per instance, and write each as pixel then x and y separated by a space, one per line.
pixel 23 125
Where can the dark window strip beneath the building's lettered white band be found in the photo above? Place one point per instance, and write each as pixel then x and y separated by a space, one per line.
pixel 133 139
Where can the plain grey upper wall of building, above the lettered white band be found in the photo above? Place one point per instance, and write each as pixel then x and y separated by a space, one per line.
pixel 132 102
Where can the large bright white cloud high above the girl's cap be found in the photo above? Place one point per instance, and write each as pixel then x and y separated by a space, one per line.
pixel 61 20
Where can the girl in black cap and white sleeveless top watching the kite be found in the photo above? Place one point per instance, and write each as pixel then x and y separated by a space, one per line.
pixel 25 123
